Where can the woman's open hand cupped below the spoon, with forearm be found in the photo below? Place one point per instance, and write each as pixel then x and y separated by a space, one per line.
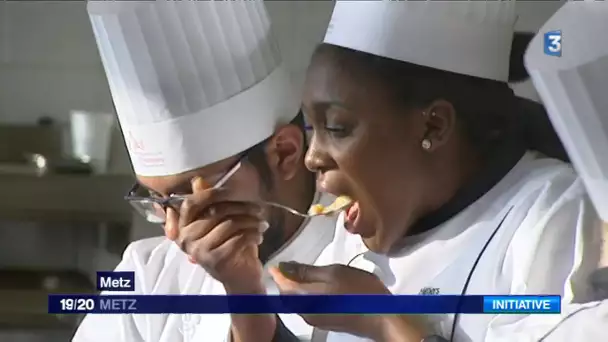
pixel 294 278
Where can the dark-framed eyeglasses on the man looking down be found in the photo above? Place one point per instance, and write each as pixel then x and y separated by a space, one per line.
pixel 154 209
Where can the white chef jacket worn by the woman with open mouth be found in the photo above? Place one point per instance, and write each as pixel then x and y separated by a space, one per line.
pixel 546 244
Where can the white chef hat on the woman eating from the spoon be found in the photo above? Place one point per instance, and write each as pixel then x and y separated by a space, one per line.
pixel 466 37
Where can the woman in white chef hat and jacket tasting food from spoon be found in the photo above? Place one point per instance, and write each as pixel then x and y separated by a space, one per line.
pixel 414 120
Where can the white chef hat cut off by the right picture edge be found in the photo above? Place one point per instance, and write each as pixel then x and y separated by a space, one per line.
pixel 573 88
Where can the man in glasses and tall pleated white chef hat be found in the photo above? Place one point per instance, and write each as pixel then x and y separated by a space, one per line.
pixel 202 99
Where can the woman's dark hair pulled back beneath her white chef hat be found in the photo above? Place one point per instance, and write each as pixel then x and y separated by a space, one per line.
pixel 485 124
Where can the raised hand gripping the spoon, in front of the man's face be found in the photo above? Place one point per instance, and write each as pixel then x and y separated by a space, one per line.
pixel 221 236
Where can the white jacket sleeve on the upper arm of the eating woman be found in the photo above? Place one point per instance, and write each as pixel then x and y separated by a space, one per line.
pixel 555 250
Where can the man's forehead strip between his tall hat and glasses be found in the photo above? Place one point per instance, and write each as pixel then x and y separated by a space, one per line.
pixel 181 183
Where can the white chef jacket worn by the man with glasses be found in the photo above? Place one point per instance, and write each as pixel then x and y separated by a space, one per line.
pixel 162 268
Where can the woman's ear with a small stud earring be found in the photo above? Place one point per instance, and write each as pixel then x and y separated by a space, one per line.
pixel 440 120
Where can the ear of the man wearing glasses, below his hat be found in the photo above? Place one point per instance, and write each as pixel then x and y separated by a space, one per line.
pixel 285 151
